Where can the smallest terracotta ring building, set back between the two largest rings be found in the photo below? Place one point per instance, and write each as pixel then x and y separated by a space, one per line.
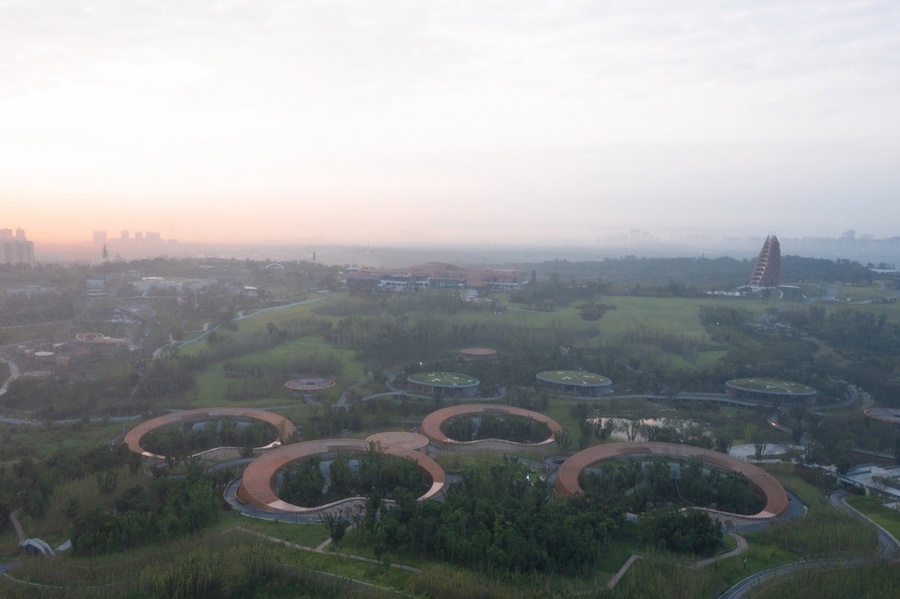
pixel 432 427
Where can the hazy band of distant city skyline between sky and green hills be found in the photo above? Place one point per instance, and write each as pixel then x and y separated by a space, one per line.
pixel 127 245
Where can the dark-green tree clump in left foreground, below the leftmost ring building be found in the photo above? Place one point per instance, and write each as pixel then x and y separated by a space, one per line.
pixel 170 508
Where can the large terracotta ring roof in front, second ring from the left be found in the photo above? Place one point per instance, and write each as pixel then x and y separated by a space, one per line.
pixel 257 488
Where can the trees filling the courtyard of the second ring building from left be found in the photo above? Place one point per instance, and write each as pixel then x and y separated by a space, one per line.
pixel 377 474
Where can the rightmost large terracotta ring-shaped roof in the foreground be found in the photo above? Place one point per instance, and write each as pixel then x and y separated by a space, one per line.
pixel 776 499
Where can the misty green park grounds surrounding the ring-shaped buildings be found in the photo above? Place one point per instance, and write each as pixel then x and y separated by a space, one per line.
pixel 144 527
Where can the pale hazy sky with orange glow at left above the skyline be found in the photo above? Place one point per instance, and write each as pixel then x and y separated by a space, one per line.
pixel 429 121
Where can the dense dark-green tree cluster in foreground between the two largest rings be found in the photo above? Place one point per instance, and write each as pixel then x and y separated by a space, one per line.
pixel 499 518
